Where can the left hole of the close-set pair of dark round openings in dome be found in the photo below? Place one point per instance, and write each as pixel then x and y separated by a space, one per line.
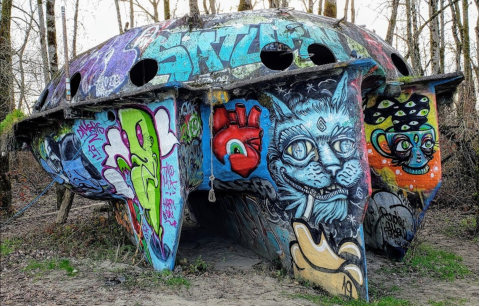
pixel 276 56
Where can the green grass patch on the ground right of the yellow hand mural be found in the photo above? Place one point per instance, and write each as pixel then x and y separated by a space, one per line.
pixel 428 261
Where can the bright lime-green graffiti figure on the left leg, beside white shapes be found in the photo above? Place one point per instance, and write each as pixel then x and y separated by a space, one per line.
pixel 140 136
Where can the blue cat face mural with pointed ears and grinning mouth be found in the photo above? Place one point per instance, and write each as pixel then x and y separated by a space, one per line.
pixel 314 159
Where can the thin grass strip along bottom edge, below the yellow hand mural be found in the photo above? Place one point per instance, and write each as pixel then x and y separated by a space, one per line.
pixel 335 300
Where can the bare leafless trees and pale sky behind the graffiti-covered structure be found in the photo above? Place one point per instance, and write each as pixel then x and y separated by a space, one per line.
pixel 434 36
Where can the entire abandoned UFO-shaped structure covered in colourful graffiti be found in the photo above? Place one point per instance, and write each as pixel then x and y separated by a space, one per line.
pixel 284 129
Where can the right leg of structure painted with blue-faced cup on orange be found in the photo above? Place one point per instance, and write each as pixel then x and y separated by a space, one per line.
pixel 404 156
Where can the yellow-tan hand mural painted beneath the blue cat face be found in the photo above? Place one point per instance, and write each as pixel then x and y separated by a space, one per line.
pixel 321 265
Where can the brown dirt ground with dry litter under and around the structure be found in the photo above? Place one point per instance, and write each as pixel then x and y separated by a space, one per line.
pixel 233 276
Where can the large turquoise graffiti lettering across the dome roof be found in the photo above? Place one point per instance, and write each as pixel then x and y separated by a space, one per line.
pixel 198 51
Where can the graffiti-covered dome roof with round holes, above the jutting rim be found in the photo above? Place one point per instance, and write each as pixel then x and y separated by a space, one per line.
pixel 219 50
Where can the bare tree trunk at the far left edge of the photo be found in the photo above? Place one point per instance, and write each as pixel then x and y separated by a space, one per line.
pixel 5 103
